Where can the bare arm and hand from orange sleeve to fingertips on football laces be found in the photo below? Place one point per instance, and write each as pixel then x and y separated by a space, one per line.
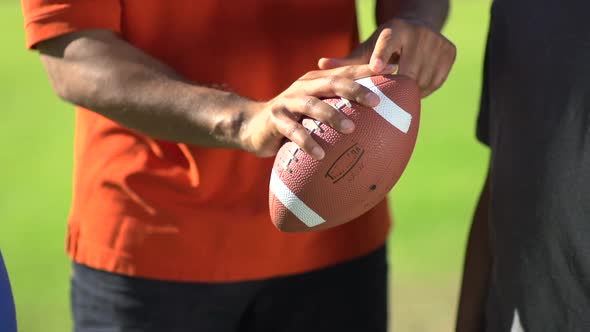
pixel 98 70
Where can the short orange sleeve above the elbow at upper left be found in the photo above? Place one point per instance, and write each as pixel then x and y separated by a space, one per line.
pixel 46 19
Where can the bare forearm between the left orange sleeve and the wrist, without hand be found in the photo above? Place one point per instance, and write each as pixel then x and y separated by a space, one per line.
pixel 118 81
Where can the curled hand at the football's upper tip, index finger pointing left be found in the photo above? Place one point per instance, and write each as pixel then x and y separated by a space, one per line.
pixel 421 52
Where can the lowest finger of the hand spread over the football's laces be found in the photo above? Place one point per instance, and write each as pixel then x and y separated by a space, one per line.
pixel 296 132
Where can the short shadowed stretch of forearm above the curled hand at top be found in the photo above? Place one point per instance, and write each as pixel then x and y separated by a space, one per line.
pixel 432 12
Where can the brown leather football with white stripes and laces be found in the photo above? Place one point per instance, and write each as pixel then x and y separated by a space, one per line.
pixel 358 170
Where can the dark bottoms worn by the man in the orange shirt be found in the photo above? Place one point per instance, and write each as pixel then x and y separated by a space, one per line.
pixel 351 296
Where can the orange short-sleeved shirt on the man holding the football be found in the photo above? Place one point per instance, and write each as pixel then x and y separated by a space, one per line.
pixel 158 209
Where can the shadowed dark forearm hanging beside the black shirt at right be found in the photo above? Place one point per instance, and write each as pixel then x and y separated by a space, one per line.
pixel 477 269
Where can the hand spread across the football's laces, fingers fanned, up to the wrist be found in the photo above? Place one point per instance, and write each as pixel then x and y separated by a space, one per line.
pixel 265 127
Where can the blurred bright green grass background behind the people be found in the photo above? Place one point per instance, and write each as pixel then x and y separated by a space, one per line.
pixel 432 203
